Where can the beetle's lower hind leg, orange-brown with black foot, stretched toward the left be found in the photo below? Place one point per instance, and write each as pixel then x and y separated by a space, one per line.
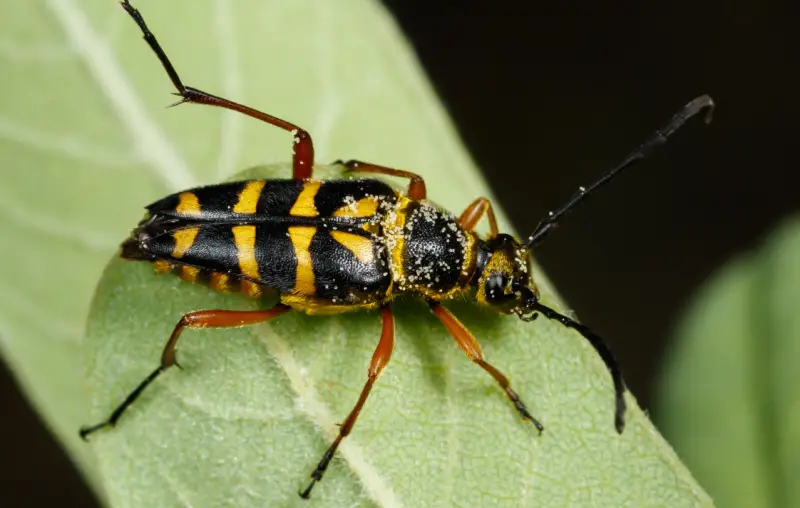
pixel 197 319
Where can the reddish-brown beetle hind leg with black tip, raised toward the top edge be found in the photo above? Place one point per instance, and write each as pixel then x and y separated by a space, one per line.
pixel 303 147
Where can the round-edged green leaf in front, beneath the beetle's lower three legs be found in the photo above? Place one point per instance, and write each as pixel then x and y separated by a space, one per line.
pixel 252 411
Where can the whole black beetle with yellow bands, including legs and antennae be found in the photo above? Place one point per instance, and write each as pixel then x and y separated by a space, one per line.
pixel 344 245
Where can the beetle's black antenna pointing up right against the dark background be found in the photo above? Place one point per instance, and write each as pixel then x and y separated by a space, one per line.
pixel 657 139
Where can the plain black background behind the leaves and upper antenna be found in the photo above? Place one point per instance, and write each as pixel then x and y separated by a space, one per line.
pixel 547 96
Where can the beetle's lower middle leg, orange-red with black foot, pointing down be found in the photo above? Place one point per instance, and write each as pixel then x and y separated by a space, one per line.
pixel 380 358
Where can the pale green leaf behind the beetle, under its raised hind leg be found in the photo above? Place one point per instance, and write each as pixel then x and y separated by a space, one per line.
pixel 85 141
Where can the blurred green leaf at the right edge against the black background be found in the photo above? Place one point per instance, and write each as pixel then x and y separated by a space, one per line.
pixel 729 398
